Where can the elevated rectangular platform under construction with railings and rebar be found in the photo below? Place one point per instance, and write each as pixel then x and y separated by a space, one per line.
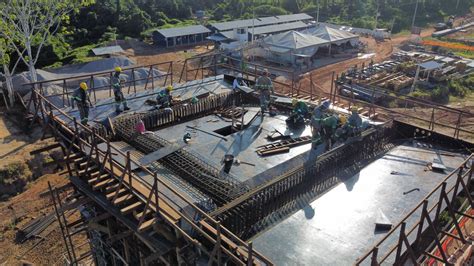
pixel 245 189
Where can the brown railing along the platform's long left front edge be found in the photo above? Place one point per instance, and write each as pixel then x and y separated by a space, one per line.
pixel 86 139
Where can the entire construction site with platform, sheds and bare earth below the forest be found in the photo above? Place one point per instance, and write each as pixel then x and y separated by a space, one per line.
pixel 351 160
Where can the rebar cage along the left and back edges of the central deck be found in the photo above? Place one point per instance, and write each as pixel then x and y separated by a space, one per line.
pixel 221 187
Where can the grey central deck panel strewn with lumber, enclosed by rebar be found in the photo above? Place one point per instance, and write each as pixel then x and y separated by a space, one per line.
pixel 240 144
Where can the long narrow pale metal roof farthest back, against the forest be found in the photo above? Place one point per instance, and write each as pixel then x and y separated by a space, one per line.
pixel 229 25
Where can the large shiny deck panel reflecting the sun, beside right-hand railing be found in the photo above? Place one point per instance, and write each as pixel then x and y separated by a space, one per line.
pixel 338 227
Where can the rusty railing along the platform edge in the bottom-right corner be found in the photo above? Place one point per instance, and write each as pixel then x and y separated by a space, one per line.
pixel 414 242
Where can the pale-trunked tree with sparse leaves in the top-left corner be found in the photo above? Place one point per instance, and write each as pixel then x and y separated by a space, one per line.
pixel 26 23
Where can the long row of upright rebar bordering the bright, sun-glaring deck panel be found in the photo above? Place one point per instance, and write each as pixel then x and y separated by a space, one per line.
pixel 244 215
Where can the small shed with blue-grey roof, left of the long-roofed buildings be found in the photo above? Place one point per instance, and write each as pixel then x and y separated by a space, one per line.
pixel 189 35
